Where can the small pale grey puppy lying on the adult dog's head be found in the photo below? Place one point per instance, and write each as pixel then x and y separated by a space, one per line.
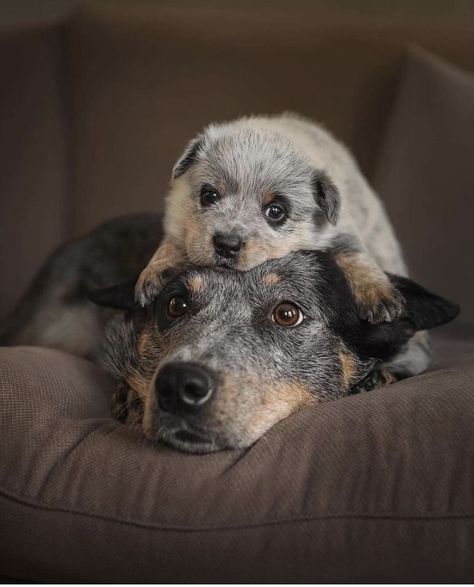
pixel 261 187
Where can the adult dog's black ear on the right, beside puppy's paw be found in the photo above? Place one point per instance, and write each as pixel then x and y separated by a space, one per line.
pixel 423 309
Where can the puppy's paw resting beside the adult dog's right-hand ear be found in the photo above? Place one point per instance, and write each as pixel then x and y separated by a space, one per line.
pixel 380 304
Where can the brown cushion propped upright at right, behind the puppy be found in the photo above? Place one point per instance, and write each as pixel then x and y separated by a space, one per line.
pixel 426 176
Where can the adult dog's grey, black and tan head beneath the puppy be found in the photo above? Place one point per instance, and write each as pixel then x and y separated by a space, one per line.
pixel 222 355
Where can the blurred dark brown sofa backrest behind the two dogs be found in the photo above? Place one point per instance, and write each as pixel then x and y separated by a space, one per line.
pixel 97 99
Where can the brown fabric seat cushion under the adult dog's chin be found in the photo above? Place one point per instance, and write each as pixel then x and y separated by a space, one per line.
pixel 371 487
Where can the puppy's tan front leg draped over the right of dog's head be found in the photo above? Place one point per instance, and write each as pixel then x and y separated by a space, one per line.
pixel 377 299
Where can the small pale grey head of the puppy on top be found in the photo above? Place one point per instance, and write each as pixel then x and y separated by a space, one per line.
pixel 242 194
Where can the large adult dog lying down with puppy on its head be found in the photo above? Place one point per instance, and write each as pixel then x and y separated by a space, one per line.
pixel 218 356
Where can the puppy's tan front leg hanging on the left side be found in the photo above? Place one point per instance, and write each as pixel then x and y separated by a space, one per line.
pixel 149 283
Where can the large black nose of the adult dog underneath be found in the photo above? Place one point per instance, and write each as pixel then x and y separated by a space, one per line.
pixel 184 388
